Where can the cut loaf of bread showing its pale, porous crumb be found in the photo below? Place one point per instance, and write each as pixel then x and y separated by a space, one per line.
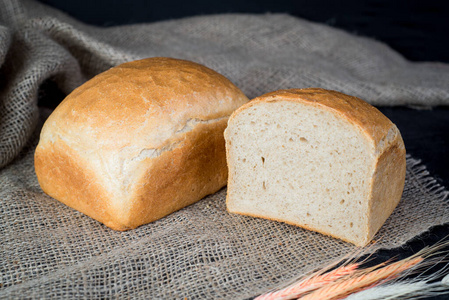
pixel 315 158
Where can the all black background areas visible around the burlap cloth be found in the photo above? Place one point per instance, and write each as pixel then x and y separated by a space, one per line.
pixel 419 30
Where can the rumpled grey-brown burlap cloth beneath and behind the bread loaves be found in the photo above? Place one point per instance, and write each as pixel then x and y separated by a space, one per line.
pixel 49 250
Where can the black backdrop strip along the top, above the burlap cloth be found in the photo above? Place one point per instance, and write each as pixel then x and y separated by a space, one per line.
pixel 416 29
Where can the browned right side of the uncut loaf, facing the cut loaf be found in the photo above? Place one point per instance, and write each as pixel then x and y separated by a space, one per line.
pixel 182 176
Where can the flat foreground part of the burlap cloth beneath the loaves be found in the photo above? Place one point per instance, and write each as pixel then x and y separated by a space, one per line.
pixel 49 250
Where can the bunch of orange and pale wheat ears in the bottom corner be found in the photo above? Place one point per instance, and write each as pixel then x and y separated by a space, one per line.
pixel 349 279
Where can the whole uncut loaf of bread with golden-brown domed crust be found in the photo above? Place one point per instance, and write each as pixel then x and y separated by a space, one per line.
pixel 139 141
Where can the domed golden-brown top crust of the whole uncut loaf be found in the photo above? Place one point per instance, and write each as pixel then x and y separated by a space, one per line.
pixel 157 95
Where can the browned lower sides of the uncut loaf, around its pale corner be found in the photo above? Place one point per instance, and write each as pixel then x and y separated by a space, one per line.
pixel 172 181
